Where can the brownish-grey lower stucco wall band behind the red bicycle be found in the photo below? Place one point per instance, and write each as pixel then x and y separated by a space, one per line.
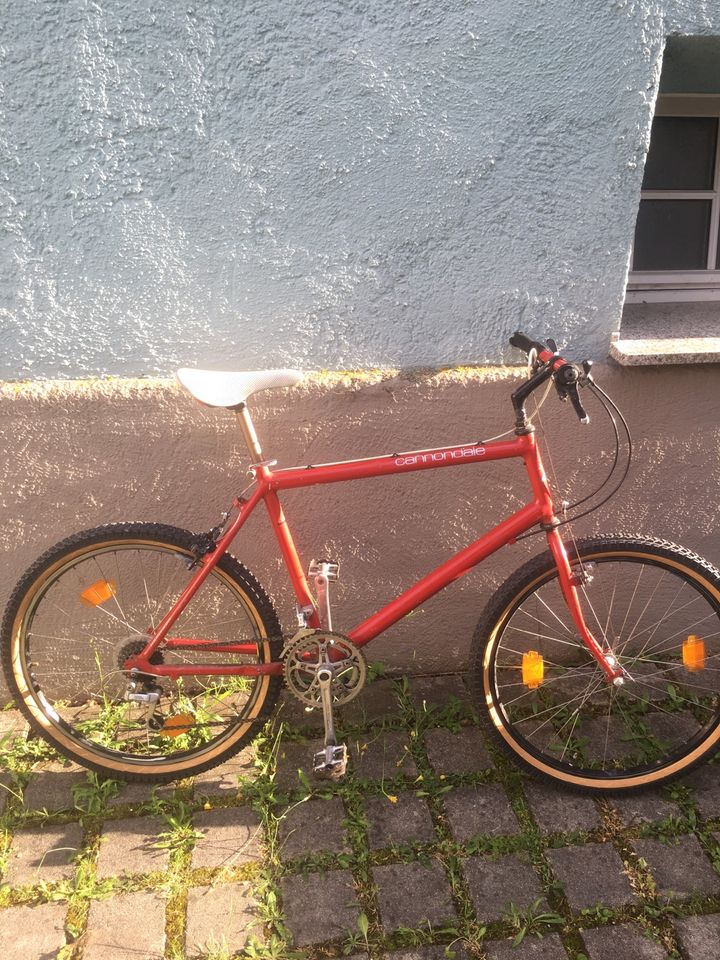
pixel 81 454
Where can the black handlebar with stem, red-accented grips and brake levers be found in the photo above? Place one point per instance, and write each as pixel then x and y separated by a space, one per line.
pixel 547 363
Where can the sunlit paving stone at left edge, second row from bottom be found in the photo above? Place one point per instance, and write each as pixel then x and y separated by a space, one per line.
pixel 43 853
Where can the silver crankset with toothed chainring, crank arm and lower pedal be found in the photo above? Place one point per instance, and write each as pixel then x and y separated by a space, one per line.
pixel 325 669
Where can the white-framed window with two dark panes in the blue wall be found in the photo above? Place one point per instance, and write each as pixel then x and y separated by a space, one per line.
pixel 676 252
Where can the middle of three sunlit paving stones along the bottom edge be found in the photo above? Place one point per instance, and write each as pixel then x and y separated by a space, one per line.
pixel 126 927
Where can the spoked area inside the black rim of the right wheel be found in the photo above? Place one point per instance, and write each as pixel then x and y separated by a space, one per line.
pixel 575 720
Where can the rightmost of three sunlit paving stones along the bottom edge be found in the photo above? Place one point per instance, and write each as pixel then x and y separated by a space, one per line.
pixel 220 916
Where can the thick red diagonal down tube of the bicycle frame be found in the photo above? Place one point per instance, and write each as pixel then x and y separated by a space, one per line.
pixel 458 565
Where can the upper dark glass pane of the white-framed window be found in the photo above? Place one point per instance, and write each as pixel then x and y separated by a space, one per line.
pixel 682 154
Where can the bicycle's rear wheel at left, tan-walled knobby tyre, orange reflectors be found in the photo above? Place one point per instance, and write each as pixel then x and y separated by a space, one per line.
pixel 90 603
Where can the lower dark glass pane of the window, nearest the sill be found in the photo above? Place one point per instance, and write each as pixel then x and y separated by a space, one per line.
pixel 672 235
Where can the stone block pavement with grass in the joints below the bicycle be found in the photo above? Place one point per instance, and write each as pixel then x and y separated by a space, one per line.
pixel 433 847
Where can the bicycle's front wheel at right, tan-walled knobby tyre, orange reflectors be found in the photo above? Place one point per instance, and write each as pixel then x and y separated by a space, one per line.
pixel 546 701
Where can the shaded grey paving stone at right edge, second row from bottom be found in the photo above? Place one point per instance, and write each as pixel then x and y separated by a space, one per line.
pixel 679 869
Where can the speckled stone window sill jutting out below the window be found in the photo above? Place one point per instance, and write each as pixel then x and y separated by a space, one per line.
pixel 659 334
